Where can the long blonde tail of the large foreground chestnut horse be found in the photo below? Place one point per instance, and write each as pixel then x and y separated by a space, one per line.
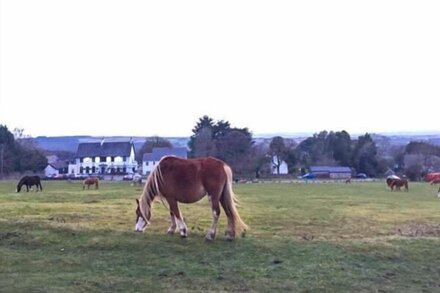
pixel 229 200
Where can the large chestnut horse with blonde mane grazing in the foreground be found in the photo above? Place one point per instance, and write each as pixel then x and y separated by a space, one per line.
pixel 187 181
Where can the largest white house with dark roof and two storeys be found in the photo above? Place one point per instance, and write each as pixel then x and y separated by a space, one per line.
pixel 104 157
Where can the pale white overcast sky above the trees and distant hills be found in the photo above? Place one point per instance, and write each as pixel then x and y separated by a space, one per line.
pixel 146 68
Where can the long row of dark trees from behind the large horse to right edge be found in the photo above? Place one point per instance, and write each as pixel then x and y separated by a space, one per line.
pixel 248 159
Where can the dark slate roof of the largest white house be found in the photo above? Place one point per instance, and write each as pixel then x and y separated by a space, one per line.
pixel 104 149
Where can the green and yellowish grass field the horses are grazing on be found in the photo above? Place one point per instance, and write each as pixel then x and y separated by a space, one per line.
pixel 331 237
